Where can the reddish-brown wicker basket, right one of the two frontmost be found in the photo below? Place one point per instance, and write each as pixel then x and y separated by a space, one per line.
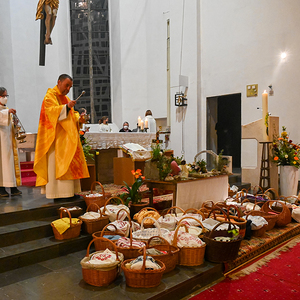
pixel 143 278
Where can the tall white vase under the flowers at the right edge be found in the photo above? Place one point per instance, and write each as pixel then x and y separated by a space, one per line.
pixel 288 181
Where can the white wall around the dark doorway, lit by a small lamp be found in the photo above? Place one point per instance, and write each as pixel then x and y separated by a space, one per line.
pixel 241 44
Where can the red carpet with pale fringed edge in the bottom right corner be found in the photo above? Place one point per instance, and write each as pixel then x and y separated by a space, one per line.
pixel 276 276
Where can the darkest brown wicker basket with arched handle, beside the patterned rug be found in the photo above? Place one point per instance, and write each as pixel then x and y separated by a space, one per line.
pixel 219 251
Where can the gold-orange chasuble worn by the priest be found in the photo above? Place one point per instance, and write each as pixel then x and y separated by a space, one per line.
pixel 69 158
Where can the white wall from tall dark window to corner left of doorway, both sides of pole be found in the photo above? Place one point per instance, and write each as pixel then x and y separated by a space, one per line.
pixel 139 65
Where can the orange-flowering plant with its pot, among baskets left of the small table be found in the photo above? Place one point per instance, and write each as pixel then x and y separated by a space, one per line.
pixel 132 196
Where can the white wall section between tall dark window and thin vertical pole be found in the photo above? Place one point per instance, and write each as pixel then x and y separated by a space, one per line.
pixel 138 59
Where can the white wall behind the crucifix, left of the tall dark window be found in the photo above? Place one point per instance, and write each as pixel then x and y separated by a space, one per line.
pixel 26 80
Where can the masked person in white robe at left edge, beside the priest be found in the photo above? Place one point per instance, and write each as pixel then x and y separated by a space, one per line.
pixel 10 169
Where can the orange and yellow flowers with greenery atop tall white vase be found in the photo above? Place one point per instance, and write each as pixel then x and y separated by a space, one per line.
pixel 285 152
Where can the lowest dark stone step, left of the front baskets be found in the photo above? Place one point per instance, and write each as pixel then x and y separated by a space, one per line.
pixel 31 252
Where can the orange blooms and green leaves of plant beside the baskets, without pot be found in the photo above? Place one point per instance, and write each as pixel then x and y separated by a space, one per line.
pixel 132 194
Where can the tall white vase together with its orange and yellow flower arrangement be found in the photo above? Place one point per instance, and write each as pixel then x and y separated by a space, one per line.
pixel 285 154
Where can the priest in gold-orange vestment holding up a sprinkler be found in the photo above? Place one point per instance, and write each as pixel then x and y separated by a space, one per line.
pixel 59 159
